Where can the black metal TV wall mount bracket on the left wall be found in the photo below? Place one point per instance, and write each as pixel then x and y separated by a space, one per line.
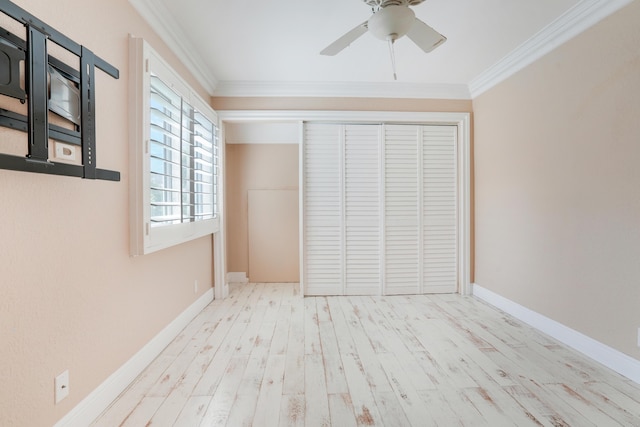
pixel 49 85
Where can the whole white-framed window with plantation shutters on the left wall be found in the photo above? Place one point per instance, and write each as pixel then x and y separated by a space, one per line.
pixel 175 156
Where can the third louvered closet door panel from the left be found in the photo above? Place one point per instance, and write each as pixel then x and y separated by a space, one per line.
pixel 401 210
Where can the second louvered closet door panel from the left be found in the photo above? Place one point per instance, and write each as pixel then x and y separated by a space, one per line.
pixel 362 209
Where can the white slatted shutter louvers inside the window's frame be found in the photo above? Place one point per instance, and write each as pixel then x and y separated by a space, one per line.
pixel 183 159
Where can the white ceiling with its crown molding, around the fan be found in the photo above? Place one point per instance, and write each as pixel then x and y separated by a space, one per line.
pixel 250 47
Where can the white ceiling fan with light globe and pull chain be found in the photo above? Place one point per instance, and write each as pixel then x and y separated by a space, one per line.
pixel 391 20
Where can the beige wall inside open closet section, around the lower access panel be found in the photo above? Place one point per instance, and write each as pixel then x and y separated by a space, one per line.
pixel 254 167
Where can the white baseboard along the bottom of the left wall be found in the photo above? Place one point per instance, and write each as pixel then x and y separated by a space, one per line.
pixel 100 398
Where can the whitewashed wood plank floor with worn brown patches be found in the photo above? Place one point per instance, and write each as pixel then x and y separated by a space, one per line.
pixel 268 357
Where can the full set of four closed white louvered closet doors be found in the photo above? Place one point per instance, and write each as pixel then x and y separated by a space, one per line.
pixel 379 209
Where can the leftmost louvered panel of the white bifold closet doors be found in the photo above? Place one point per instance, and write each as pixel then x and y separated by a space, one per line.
pixel 322 207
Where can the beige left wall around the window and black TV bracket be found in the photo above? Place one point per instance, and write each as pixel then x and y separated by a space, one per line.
pixel 71 297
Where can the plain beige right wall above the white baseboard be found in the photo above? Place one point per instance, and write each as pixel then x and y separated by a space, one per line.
pixel 557 179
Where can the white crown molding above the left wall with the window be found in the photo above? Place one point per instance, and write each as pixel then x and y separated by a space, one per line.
pixel 162 22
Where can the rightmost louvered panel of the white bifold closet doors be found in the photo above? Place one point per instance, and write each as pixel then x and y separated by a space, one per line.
pixel 439 207
